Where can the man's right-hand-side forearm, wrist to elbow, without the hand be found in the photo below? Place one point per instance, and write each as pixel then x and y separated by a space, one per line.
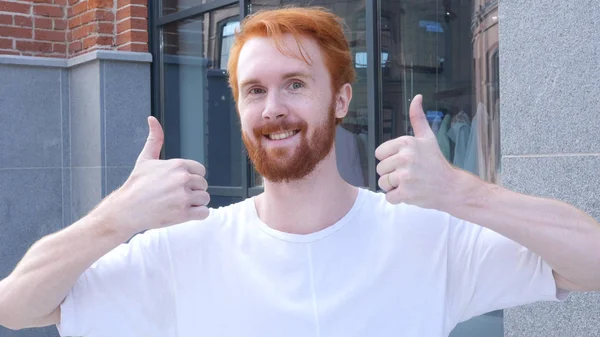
pixel 565 237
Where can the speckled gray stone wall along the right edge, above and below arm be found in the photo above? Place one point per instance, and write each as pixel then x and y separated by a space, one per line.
pixel 550 125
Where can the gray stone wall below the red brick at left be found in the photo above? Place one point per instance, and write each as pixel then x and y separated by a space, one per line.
pixel 70 132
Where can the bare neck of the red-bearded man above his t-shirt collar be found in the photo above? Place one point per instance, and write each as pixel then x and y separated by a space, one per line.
pixel 308 205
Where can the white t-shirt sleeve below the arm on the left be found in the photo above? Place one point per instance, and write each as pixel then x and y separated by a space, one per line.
pixel 128 292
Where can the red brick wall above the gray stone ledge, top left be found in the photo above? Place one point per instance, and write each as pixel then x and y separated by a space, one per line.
pixel 67 28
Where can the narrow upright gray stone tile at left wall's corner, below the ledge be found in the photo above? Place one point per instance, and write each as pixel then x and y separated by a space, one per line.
pixel 85 116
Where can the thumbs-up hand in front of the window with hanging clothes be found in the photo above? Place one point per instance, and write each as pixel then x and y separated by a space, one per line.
pixel 413 170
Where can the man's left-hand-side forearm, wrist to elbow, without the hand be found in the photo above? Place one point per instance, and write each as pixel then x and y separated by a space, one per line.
pixel 51 267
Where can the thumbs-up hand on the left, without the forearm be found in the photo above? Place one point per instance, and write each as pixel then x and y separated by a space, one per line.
pixel 158 193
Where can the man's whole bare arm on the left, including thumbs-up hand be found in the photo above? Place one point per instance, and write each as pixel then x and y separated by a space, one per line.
pixel 158 193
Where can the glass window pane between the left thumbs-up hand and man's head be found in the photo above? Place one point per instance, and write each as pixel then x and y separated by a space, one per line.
pixel 200 119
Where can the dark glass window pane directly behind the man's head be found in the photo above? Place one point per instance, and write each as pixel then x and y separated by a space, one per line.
pixel 351 135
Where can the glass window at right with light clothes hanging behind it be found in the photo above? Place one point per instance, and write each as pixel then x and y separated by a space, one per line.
pixel 446 50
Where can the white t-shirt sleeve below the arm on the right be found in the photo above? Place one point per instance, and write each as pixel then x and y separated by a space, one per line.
pixel 487 272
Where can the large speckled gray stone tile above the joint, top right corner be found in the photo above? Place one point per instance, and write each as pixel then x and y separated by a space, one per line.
pixel 548 77
